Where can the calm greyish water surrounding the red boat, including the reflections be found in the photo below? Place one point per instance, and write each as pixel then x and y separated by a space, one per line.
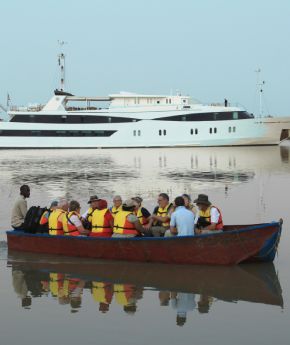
pixel 47 299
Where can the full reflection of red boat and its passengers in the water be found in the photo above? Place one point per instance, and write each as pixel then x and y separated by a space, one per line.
pixel 183 288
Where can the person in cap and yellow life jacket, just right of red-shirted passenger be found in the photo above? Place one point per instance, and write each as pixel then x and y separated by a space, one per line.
pixel 126 223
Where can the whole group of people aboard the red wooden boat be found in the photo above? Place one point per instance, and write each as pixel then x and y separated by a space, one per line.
pixel 125 218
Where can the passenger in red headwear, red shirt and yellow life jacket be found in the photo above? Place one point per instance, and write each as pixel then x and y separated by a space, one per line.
pixel 102 220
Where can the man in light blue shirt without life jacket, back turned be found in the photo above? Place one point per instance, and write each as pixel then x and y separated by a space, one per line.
pixel 182 220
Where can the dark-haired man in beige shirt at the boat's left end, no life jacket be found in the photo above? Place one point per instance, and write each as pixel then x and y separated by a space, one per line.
pixel 19 209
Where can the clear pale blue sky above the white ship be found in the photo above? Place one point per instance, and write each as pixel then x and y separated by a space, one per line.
pixel 208 49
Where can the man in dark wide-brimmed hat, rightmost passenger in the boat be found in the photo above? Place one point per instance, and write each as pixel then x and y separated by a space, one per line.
pixel 209 216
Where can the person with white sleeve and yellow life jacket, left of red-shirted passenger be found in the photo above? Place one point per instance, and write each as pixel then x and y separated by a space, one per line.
pixel 72 225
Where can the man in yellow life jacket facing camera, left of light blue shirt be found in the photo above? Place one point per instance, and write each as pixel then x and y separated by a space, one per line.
pixel 160 220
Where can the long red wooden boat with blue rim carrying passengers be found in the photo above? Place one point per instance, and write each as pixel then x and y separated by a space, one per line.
pixel 229 247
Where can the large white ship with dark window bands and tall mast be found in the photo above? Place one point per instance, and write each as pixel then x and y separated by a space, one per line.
pixel 136 120
